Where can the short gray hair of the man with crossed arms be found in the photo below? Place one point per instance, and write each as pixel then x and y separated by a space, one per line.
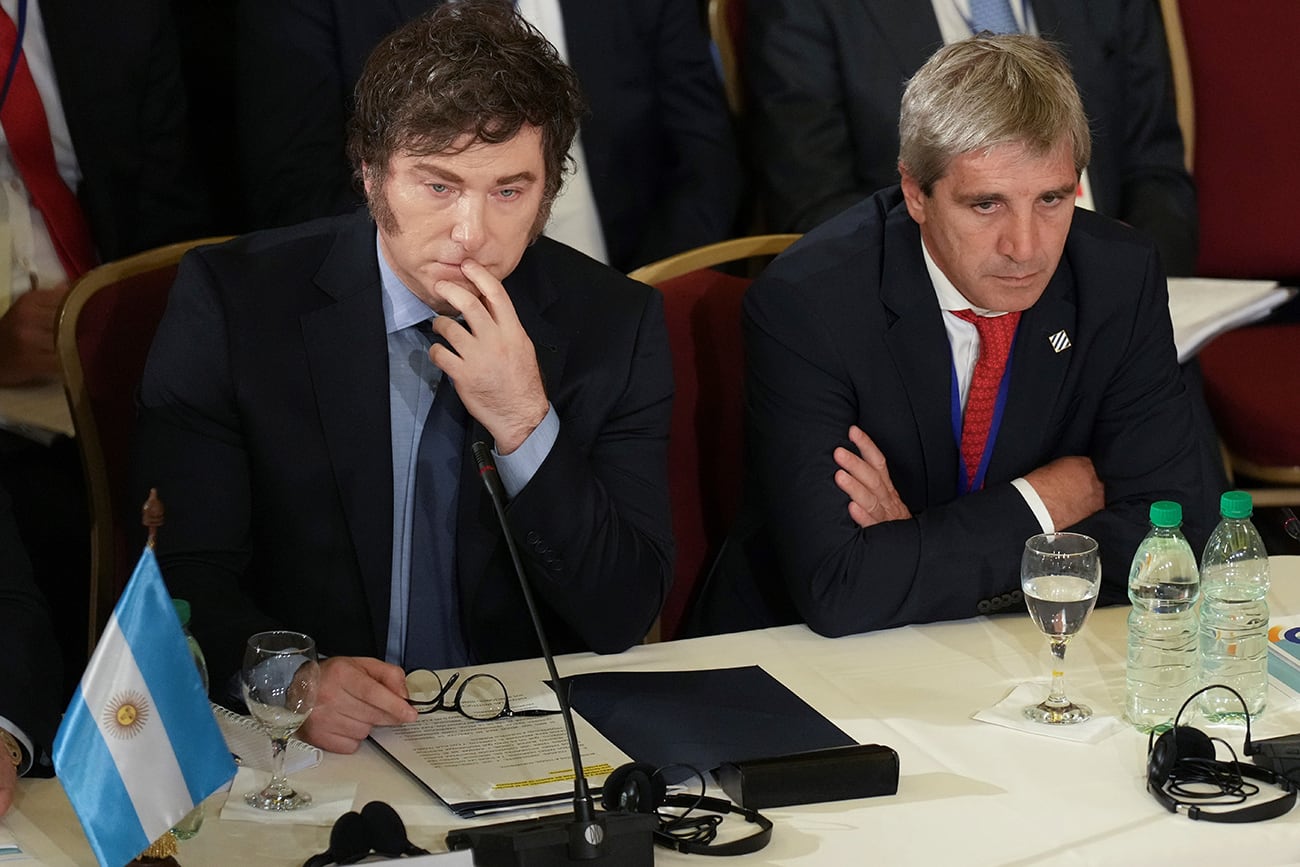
pixel 986 92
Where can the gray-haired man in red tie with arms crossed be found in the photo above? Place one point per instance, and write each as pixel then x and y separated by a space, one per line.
pixel 954 366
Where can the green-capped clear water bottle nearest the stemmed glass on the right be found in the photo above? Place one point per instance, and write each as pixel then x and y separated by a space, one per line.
pixel 1163 653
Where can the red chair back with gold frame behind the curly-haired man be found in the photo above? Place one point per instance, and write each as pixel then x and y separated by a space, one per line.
pixel 106 328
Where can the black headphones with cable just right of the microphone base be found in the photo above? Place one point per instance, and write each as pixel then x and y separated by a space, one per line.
pixel 642 788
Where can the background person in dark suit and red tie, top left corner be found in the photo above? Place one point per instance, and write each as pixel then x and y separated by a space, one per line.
pixel 109 81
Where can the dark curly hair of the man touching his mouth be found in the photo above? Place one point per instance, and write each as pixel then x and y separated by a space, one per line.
pixel 469 72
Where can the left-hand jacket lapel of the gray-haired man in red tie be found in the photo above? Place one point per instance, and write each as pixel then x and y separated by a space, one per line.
pixel 918 345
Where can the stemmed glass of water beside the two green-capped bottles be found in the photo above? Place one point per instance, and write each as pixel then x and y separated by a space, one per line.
pixel 1060 574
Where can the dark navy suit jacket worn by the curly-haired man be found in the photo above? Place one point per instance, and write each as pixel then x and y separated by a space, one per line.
pixel 265 426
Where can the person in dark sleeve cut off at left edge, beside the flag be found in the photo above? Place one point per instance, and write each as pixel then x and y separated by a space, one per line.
pixel 32 688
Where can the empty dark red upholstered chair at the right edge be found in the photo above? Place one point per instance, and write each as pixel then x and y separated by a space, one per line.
pixel 1246 96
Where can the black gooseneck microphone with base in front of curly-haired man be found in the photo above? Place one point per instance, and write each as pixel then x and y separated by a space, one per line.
pixel 587 838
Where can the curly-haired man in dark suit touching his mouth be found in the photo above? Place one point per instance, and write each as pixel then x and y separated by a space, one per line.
pixel 289 383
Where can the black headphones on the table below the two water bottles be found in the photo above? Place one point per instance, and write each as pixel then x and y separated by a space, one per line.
pixel 1184 757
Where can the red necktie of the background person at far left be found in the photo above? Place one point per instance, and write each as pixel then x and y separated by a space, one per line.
pixel 28 132
